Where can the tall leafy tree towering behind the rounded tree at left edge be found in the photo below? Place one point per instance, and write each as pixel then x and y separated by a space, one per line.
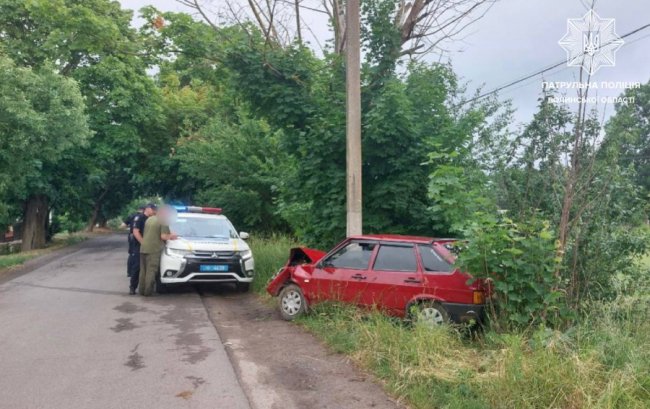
pixel 92 42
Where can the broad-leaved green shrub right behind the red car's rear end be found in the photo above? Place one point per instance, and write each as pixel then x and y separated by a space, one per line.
pixel 521 261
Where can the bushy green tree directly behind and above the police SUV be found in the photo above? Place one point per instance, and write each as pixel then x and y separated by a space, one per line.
pixel 238 167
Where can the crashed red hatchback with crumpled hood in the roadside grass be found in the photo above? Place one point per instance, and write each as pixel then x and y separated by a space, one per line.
pixel 405 276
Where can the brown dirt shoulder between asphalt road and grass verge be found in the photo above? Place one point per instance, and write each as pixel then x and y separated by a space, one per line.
pixel 283 366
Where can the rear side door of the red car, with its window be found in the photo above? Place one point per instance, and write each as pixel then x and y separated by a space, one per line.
pixel 397 278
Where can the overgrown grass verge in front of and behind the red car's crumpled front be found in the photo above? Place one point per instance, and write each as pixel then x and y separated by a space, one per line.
pixel 602 363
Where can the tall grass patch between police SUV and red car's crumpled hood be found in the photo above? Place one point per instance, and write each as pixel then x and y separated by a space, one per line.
pixel 270 253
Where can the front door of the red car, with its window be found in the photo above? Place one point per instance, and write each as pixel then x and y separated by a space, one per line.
pixel 343 275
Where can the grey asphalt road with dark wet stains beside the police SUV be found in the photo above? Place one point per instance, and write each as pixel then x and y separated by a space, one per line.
pixel 71 337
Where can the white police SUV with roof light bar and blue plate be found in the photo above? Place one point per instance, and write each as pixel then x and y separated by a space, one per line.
pixel 208 250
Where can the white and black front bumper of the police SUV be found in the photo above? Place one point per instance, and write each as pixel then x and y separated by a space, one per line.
pixel 179 270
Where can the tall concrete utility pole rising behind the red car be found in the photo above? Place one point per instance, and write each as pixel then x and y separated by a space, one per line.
pixel 353 151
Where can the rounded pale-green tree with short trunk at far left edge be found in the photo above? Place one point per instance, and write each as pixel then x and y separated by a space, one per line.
pixel 42 120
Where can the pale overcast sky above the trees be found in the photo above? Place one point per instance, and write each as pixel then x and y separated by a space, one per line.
pixel 520 37
